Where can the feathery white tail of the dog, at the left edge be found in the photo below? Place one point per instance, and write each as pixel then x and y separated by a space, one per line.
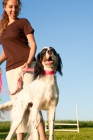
pixel 5 107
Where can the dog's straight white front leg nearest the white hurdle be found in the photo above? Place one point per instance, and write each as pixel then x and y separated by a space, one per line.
pixel 51 118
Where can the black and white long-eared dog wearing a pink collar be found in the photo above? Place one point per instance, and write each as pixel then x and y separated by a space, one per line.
pixel 41 94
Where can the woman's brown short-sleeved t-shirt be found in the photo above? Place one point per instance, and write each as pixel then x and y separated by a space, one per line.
pixel 15 43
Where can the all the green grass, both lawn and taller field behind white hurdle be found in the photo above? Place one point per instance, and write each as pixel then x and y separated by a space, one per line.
pixel 86 131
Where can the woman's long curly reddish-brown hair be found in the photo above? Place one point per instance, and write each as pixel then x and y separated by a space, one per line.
pixel 4 20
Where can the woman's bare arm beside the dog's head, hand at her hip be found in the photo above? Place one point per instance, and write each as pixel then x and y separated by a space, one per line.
pixel 33 48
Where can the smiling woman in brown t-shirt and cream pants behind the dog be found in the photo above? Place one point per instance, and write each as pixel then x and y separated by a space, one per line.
pixel 15 33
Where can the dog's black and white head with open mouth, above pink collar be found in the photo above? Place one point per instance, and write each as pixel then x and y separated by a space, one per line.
pixel 48 59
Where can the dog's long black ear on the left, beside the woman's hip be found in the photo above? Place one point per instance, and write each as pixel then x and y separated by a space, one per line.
pixel 38 70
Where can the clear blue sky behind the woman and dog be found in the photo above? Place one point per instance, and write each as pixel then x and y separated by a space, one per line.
pixel 66 25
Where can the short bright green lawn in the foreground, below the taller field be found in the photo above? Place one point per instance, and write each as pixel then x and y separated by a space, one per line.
pixel 84 134
